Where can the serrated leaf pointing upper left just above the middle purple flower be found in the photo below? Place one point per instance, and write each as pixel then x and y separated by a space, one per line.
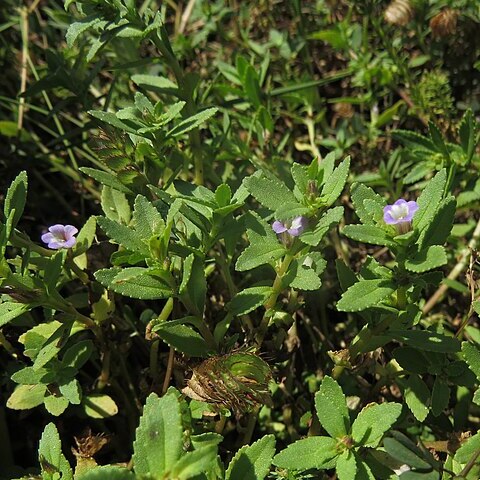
pixel 270 192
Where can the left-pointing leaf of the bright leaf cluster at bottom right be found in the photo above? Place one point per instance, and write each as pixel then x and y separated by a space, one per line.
pixel 311 452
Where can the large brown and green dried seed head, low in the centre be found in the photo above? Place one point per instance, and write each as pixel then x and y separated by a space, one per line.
pixel 237 380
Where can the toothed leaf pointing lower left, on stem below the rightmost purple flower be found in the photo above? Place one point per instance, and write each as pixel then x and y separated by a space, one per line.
pixel 365 294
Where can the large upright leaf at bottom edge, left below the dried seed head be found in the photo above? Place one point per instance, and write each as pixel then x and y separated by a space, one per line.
pixel 159 437
